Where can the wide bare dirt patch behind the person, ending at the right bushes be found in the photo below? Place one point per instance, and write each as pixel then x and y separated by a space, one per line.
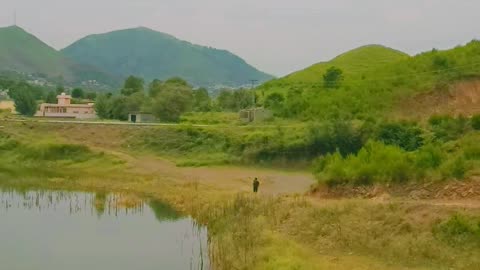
pixel 224 177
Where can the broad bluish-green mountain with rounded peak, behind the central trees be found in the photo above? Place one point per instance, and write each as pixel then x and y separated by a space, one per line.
pixel 154 55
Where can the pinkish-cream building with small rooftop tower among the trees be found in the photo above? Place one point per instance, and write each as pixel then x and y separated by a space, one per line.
pixel 64 109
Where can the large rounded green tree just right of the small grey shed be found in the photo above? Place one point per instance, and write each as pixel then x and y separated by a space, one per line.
pixel 172 102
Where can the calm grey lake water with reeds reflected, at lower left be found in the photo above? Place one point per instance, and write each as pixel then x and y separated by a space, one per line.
pixel 78 231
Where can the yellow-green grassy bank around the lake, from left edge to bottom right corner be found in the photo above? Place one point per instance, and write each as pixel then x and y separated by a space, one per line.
pixel 256 232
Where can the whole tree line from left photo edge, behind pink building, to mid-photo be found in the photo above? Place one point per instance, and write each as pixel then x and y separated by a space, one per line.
pixel 167 100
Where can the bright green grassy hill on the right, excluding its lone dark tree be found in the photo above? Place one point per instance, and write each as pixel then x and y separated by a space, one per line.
pixel 376 80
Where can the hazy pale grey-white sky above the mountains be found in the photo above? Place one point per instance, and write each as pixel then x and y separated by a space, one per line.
pixel 276 36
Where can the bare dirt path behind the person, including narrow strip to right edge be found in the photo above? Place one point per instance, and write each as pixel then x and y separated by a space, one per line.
pixel 273 182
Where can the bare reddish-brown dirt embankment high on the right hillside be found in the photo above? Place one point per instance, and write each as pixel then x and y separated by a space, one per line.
pixel 462 98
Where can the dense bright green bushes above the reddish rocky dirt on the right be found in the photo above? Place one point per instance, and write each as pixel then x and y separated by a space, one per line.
pixel 399 153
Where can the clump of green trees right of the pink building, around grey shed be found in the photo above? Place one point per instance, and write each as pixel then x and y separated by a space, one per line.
pixel 168 100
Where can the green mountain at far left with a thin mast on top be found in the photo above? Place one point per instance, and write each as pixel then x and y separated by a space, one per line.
pixel 24 53
